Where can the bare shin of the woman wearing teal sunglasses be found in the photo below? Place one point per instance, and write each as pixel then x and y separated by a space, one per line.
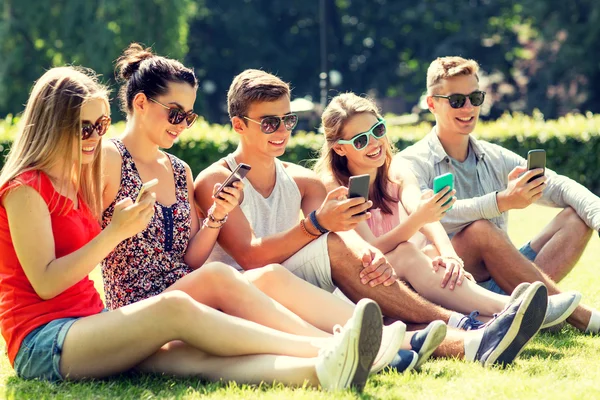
pixel 413 266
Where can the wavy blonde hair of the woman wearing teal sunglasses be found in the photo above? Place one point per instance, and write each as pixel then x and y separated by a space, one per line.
pixel 330 164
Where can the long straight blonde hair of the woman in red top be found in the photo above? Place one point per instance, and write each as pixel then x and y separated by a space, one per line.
pixel 50 128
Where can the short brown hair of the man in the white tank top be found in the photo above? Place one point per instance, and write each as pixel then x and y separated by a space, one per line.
pixel 251 86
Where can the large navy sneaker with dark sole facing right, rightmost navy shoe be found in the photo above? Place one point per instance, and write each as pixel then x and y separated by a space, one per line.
pixel 505 336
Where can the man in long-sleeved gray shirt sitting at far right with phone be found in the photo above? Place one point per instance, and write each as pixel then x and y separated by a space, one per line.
pixel 491 180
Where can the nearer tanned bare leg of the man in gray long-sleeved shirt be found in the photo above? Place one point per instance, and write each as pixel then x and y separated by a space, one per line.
pixel 487 251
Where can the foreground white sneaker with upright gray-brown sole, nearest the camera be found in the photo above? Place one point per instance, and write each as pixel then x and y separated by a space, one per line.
pixel 348 359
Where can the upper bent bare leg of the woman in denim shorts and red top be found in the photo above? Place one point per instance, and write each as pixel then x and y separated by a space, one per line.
pixel 138 330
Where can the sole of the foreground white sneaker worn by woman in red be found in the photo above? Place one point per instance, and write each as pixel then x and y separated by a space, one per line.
pixel 369 342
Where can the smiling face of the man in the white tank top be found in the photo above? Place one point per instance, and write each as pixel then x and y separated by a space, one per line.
pixel 271 145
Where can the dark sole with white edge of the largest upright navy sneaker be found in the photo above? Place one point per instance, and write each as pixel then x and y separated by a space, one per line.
pixel 525 325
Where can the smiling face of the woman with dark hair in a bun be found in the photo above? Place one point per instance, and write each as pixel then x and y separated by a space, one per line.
pixel 154 116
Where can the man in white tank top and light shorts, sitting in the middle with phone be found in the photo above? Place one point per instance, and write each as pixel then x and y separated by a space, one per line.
pixel 268 228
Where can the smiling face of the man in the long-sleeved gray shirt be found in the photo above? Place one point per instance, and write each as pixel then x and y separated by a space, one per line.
pixel 455 121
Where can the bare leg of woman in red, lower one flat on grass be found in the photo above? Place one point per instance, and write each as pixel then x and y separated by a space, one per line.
pixel 177 358
